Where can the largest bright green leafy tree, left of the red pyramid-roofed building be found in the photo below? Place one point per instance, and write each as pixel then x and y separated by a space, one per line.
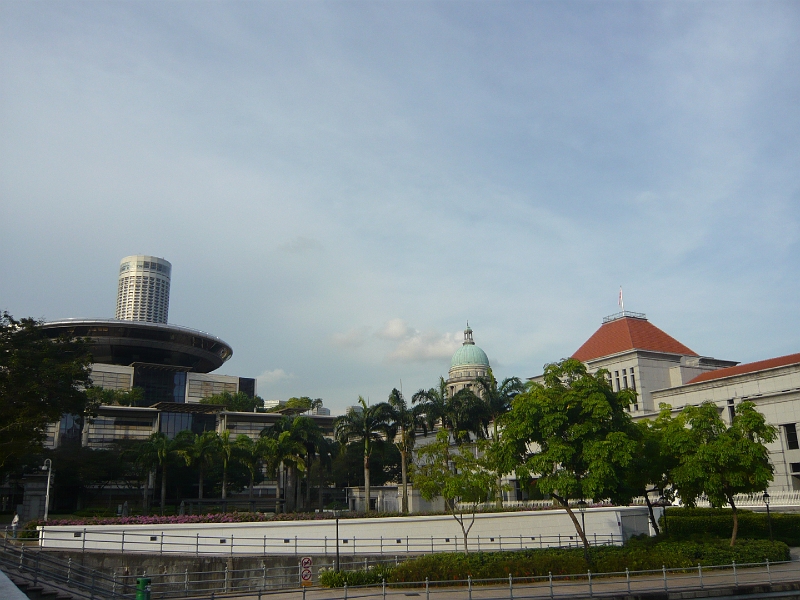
pixel 572 432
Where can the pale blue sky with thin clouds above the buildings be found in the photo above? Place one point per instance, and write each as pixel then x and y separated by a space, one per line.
pixel 340 186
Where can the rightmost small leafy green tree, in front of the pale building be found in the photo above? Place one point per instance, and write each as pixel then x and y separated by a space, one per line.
pixel 717 460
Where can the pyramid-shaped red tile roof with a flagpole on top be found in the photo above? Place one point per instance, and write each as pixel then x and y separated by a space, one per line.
pixel 629 333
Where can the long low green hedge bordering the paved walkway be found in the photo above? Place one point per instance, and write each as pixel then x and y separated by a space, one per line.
pixel 636 555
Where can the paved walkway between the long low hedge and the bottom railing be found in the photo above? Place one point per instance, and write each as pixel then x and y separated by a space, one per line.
pixel 677 583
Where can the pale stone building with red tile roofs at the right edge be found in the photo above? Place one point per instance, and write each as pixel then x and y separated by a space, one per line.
pixel 641 357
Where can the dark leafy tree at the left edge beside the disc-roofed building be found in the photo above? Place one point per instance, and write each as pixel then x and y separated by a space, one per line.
pixel 41 379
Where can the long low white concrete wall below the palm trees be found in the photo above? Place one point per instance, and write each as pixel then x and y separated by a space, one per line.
pixel 392 535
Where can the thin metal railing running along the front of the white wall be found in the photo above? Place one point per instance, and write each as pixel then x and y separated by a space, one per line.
pixel 161 543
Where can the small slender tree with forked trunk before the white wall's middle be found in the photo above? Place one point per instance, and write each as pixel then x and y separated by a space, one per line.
pixel 457 476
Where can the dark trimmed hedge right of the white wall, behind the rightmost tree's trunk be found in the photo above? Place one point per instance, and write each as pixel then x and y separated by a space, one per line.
pixel 698 523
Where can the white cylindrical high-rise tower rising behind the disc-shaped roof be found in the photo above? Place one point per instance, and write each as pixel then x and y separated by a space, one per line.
pixel 143 291
